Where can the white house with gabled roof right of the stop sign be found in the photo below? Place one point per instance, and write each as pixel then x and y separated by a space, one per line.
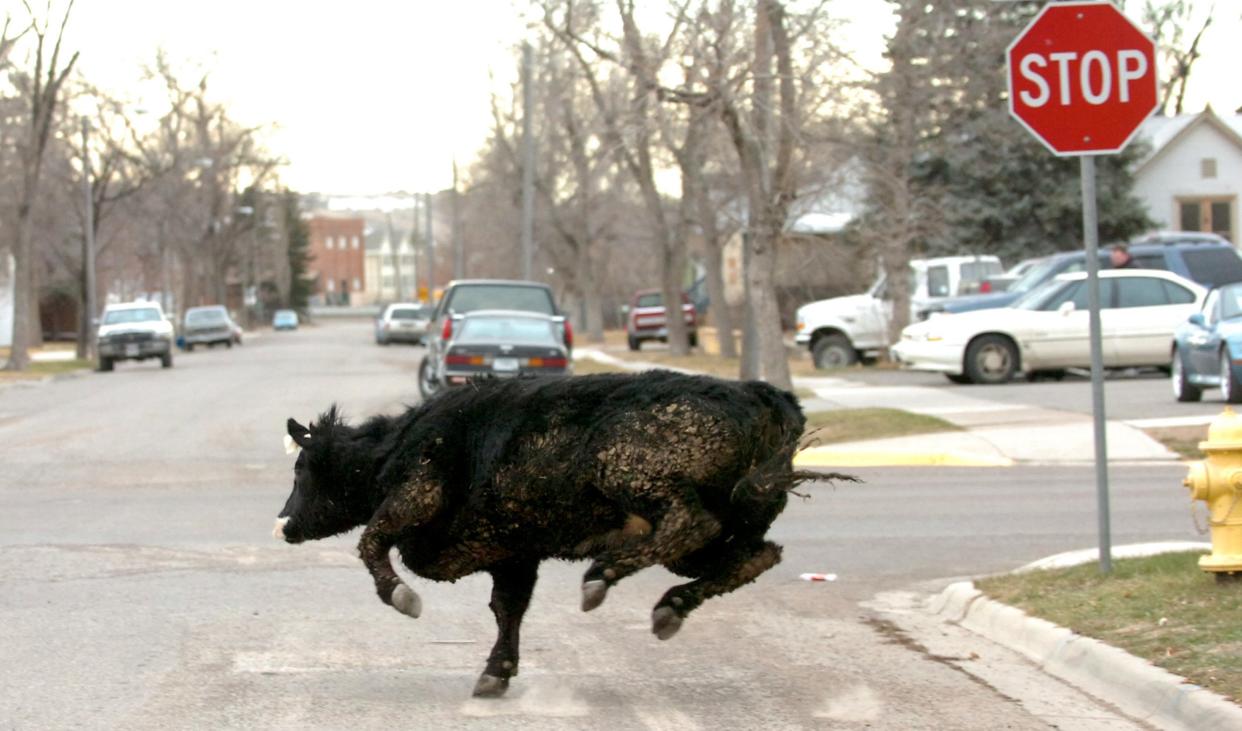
pixel 1192 179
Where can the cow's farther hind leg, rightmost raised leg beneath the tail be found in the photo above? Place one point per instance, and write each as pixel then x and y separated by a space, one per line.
pixel 721 568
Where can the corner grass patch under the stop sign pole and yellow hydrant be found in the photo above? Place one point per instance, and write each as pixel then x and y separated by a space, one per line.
pixel 1161 609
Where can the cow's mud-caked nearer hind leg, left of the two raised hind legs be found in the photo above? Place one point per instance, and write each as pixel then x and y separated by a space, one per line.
pixel 681 528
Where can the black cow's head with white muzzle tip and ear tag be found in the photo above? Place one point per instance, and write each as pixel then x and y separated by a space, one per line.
pixel 326 500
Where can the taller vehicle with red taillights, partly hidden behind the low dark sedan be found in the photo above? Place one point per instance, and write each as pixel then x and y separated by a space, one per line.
pixel 468 296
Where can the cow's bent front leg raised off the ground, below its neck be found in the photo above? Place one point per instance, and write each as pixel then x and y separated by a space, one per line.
pixel 408 508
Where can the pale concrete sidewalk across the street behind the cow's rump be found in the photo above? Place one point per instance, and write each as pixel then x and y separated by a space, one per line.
pixel 993 435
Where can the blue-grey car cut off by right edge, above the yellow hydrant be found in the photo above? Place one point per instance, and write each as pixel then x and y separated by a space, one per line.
pixel 1208 348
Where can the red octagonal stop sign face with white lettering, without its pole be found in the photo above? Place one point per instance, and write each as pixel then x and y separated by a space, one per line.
pixel 1082 78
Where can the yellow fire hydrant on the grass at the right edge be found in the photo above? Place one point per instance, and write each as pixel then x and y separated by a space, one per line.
pixel 1218 481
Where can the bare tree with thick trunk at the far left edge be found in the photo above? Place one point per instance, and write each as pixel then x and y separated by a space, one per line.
pixel 40 91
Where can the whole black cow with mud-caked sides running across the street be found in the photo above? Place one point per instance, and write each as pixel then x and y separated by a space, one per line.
pixel 629 471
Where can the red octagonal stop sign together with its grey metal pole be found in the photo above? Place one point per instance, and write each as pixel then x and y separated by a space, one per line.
pixel 1082 79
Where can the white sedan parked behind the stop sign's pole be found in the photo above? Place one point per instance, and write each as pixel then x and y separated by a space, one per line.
pixel 1048 330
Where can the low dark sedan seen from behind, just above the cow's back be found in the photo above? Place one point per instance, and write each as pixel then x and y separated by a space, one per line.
pixel 504 344
